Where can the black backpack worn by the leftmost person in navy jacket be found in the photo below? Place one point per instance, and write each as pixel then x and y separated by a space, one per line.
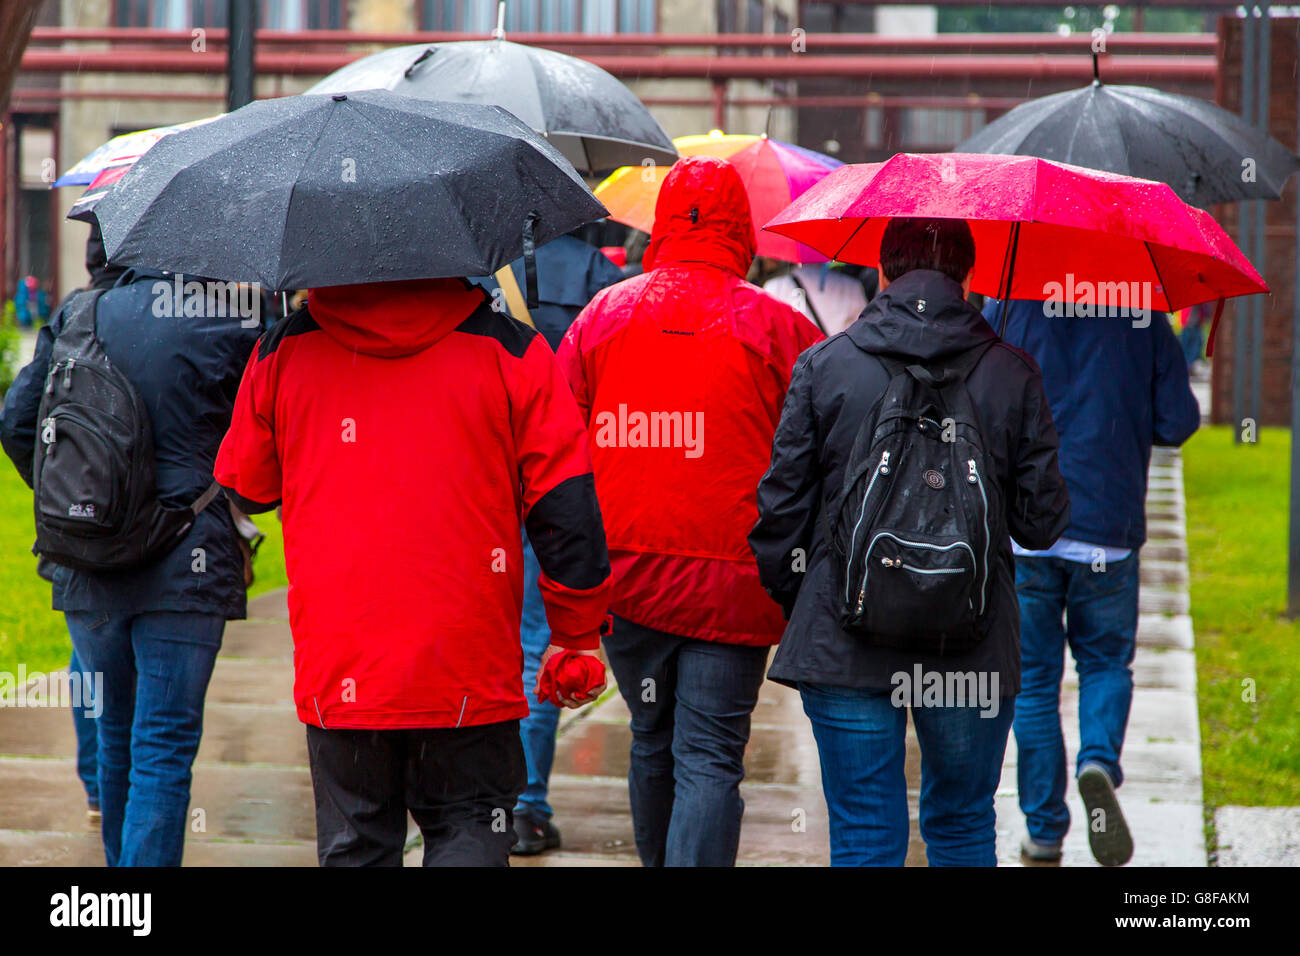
pixel 93 473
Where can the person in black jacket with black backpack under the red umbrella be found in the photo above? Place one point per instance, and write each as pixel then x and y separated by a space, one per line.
pixel 909 448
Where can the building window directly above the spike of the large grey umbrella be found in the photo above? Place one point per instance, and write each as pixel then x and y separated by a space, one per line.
pixel 541 16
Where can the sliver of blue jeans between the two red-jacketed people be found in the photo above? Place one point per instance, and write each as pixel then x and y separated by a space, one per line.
pixel 538 730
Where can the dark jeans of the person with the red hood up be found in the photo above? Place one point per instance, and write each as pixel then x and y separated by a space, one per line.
pixel 691 704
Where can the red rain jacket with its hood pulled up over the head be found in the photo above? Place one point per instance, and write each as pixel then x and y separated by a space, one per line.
pixel 682 374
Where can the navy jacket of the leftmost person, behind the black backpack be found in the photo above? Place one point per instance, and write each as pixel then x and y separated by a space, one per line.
pixel 187 371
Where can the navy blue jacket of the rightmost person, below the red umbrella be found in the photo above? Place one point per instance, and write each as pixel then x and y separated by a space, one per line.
pixel 1115 392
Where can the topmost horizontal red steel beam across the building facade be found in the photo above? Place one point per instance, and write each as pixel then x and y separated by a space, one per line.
pixel 942 44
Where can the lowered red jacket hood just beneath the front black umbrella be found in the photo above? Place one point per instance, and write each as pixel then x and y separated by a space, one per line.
pixel 393 319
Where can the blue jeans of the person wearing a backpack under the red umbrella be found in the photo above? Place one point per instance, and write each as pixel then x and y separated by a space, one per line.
pixel 861 741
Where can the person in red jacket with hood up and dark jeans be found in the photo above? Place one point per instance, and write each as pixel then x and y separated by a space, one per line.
pixel 682 374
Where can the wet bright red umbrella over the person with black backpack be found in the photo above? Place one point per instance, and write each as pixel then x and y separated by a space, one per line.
pixel 1043 231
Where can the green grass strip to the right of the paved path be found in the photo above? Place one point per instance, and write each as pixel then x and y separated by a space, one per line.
pixel 1237 537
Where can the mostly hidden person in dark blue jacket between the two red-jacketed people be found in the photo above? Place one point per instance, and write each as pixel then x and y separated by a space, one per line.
pixel 570 272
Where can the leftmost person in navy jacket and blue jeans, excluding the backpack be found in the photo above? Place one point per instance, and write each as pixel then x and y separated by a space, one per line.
pixel 151 635
